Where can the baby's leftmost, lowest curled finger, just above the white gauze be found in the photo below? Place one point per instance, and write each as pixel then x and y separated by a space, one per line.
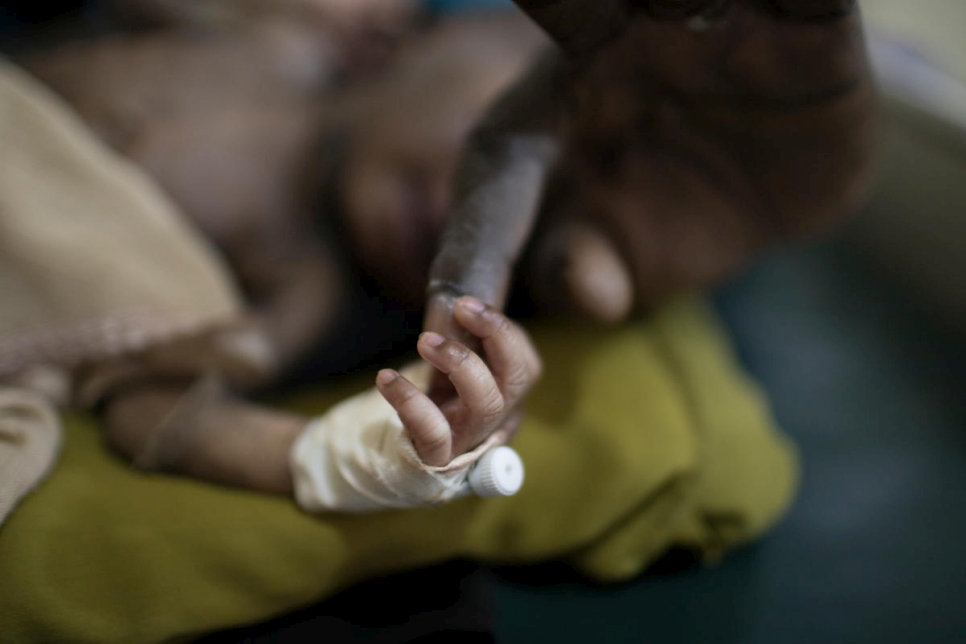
pixel 427 426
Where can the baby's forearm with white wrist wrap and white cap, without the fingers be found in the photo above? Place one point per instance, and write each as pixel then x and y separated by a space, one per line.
pixel 357 457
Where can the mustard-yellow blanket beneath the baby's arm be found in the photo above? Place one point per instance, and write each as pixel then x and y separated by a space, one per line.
pixel 637 440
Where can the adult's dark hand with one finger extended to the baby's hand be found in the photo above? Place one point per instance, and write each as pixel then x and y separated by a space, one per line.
pixel 690 134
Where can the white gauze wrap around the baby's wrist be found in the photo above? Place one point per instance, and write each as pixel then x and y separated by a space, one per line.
pixel 359 458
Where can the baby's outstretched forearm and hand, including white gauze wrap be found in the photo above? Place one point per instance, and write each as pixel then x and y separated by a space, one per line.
pixel 360 455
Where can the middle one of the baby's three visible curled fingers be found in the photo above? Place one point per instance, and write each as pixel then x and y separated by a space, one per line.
pixel 472 379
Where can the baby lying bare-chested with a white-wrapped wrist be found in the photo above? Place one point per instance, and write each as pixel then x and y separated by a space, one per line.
pixel 244 164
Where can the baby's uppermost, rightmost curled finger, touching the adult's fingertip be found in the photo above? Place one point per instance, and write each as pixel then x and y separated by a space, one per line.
pixel 512 357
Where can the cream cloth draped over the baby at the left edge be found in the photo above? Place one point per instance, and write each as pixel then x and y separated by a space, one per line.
pixel 95 266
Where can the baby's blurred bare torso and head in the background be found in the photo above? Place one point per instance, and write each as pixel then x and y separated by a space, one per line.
pixel 236 126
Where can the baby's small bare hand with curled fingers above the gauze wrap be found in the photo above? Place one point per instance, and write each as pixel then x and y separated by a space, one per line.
pixel 487 394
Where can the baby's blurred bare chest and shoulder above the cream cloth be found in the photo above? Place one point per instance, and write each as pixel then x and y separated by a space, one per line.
pixel 229 125
